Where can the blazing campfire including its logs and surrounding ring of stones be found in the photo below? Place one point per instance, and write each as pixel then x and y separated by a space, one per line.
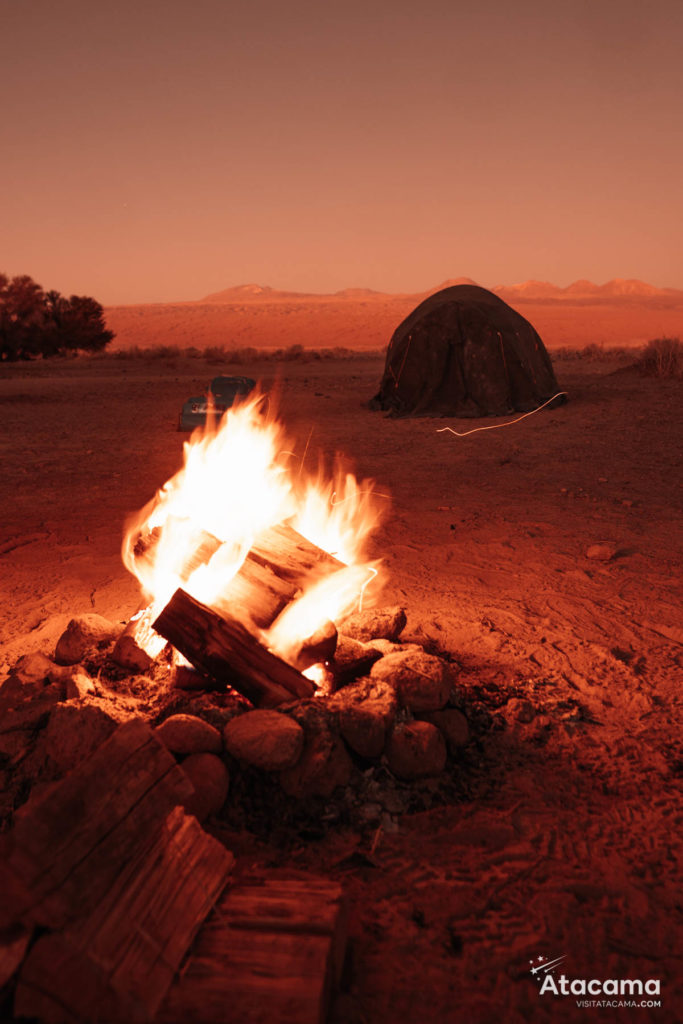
pixel 258 645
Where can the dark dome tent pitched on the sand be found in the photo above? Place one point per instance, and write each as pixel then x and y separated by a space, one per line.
pixel 464 352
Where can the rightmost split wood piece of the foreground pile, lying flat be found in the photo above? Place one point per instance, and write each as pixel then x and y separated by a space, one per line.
pixel 270 953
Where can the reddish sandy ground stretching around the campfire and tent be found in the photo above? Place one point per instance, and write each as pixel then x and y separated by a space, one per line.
pixel 567 839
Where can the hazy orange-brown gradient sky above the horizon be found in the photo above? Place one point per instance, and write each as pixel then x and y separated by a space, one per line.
pixel 153 152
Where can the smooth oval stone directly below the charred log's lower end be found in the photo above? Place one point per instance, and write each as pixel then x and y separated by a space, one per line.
pixel 266 740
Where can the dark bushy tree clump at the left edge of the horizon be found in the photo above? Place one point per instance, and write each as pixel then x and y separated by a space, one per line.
pixel 34 323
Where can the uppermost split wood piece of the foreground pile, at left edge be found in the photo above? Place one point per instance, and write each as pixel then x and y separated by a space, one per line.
pixel 68 845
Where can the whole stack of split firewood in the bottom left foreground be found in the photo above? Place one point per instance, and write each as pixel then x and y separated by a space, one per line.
pixel 107 881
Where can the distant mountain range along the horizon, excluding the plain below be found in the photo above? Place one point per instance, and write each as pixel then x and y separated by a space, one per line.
pixel 529 291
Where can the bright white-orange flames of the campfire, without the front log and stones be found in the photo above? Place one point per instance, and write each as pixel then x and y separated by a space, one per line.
pixel 237 481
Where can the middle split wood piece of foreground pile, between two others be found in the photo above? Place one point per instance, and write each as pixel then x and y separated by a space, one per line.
pixel 118 963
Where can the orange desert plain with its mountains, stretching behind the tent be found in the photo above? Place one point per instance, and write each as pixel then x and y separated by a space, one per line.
pixel 618 313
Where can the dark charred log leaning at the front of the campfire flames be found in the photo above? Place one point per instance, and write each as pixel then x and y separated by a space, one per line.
pixel 226 651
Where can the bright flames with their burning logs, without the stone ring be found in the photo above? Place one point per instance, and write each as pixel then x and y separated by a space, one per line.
pixel 246 566
